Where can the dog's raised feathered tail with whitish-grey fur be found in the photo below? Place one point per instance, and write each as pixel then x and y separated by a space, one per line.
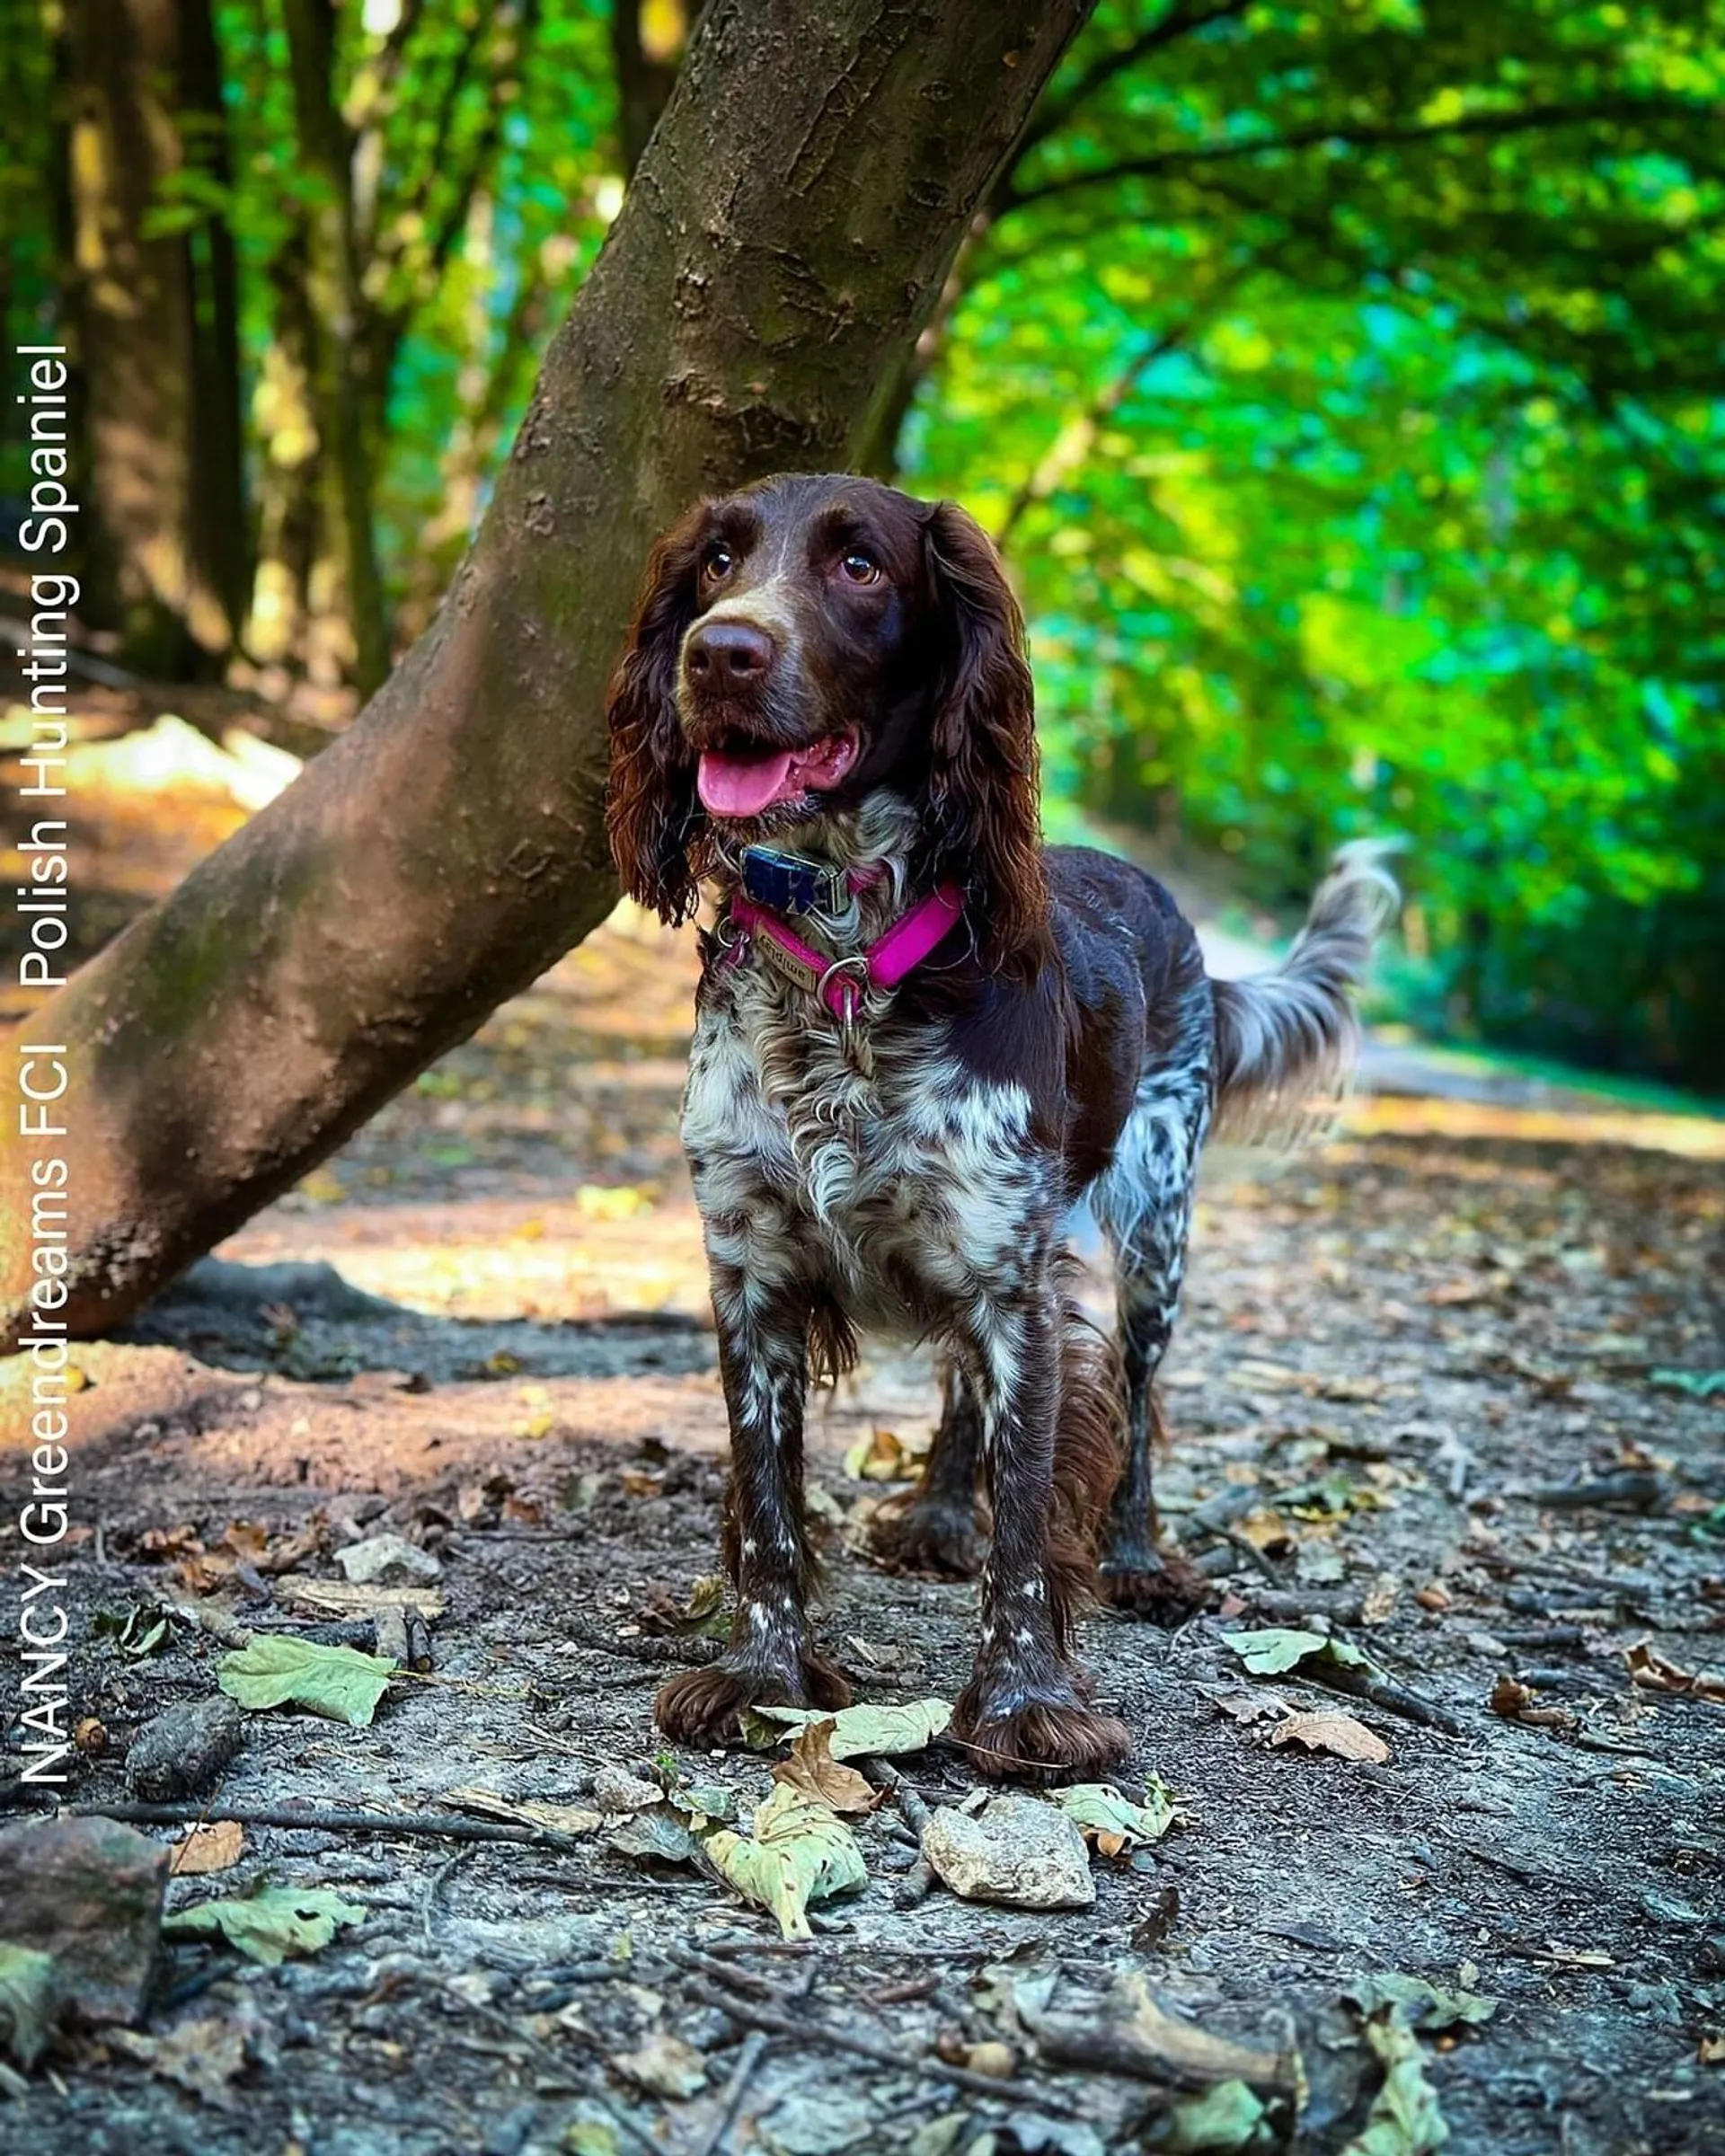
pixel 1288 1040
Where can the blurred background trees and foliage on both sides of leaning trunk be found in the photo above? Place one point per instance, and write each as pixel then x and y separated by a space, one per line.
pixel 1344 385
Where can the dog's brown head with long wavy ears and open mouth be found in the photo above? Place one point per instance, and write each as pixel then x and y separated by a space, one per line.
pixel 805 646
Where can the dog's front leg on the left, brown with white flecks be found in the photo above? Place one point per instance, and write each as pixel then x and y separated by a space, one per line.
pixel 771 1659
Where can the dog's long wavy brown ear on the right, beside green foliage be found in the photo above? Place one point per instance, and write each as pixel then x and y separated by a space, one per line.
pixel 984 771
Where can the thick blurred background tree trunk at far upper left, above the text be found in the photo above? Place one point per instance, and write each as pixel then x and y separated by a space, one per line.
pixel 156 331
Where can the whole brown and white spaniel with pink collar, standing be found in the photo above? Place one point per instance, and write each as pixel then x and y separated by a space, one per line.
pixel 922 1036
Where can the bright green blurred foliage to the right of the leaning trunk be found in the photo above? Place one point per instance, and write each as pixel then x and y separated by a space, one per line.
pixel 1372 482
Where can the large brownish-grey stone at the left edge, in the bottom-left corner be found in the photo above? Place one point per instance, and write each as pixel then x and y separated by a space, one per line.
pixel 87 1892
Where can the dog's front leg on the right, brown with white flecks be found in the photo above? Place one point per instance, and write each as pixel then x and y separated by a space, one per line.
pixel 1023 1715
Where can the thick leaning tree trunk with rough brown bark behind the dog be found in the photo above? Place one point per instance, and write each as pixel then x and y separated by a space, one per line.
pixel 786 238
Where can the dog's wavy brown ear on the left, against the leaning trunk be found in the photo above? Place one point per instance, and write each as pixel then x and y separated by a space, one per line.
pixel 650 797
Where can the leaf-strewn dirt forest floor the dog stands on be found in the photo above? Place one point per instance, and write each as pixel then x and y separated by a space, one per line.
pixel 1450 1390
